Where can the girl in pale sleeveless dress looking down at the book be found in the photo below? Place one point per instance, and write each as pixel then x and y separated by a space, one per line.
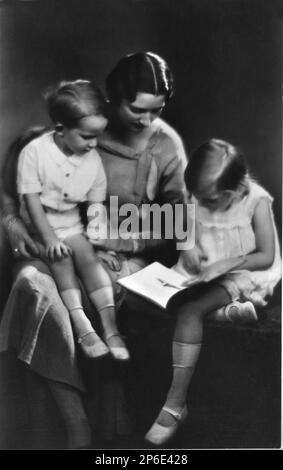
pixel 234 221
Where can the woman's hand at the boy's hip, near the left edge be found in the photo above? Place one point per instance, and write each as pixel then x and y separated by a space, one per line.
pixel 21 243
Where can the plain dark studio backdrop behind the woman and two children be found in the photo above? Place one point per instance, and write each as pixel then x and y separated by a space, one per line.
pixel 226 56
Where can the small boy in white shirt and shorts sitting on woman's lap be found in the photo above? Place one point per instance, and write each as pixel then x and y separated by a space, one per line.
pixel 56 172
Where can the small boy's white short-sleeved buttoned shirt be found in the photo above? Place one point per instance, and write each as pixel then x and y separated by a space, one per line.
pixel 61 181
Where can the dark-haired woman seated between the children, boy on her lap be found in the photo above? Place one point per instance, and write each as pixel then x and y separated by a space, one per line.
pixel 144 160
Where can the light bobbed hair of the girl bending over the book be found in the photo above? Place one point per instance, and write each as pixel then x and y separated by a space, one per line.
pixel 233 165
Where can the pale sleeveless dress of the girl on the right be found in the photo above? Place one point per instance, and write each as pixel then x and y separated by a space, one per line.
pixel 229 234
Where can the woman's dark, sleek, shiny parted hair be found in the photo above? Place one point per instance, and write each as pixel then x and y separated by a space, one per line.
pixel 139 72
